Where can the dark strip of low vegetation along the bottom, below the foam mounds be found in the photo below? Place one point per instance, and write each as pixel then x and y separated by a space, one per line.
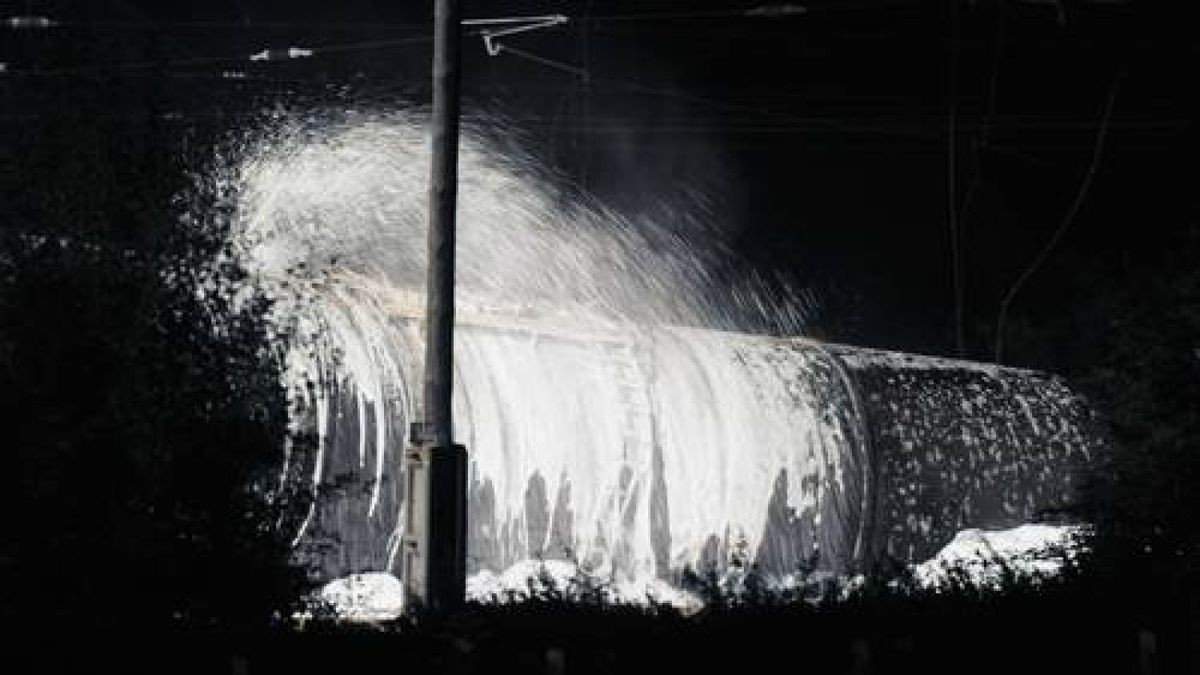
pixel 1069 625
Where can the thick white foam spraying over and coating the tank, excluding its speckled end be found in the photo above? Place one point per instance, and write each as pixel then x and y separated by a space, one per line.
pixel 592 360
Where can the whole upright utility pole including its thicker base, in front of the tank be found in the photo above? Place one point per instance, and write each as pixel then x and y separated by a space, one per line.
pixel 436 528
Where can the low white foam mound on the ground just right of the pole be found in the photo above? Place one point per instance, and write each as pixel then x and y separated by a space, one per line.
pixel 556 580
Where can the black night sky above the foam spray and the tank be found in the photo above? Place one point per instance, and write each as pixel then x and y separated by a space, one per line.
pixel 824 136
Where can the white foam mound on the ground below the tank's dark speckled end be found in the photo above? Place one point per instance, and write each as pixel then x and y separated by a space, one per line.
pixel 985 559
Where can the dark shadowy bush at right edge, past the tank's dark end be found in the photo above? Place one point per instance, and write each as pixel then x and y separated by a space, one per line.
pixel 1143 373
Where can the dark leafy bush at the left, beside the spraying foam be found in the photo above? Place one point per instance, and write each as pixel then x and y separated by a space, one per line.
pixel 142 407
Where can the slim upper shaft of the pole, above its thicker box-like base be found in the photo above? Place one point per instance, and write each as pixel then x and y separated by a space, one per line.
pixel 443 194
